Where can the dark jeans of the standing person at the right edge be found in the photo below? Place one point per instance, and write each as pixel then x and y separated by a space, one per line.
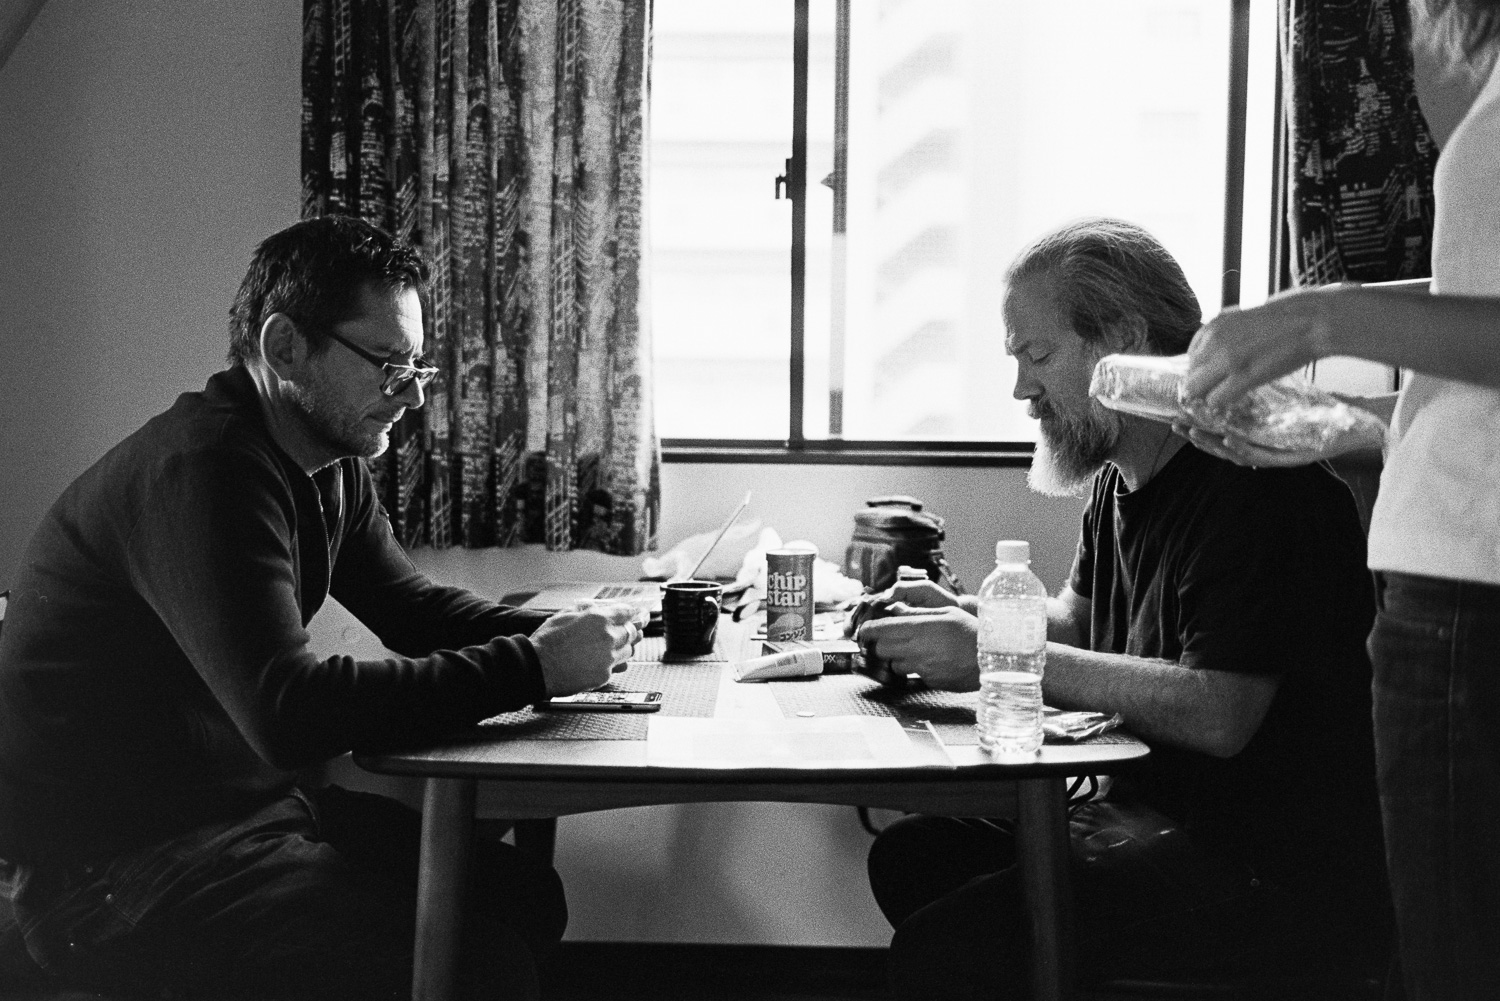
pixel 1436 655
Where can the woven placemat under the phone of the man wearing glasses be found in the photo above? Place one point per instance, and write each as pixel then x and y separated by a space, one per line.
pixel 686 691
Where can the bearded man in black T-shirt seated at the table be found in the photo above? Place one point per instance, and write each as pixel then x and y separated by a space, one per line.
pixel 1222 612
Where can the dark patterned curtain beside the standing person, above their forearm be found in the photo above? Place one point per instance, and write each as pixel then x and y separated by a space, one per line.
pixel 1360 166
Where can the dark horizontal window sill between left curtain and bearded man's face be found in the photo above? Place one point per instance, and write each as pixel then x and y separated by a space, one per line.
pixel 836 452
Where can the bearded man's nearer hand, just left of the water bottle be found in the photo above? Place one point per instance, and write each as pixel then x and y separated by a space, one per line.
pixel 937 643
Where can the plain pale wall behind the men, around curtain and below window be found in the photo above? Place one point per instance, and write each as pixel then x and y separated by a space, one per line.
pixel 146 146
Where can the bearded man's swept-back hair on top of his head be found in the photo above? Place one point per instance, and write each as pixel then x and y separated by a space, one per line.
pixel 1112 277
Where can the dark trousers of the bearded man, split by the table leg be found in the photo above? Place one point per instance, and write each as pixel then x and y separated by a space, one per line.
pixel 1150 904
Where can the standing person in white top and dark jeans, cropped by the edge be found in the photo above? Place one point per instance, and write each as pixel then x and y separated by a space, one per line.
pixel 1435 538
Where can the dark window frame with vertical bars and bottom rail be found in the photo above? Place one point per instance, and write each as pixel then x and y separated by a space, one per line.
pixel 836 451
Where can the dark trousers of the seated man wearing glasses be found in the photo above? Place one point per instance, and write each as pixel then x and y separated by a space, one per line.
pixel 314 897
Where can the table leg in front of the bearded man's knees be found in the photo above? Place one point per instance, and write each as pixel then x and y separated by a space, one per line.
pixel 1042 834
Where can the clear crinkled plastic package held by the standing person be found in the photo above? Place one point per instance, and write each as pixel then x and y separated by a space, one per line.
pixel 1288 415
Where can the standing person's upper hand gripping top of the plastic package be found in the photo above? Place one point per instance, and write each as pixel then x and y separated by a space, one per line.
pixel 1243 349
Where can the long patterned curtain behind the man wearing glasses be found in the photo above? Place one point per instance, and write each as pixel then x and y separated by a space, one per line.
pixel 506 139
